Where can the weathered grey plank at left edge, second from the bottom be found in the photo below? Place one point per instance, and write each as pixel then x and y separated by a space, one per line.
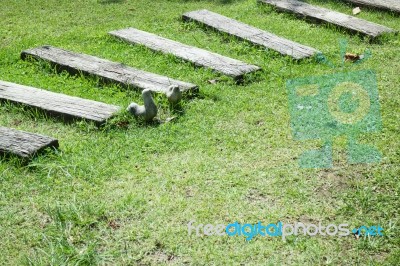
pixel 56 103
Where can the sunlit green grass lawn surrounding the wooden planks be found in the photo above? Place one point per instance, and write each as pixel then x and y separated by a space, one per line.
pixel 123 195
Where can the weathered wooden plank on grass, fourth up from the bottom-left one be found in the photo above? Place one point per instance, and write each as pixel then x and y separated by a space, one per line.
pixel 200 57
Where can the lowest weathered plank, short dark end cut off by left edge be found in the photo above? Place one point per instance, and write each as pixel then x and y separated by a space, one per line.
pixel 23 144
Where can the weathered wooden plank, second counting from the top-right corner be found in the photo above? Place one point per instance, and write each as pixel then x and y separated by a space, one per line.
pixel 320 14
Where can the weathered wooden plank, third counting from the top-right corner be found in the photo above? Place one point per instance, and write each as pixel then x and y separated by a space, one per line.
pixel 246 32
